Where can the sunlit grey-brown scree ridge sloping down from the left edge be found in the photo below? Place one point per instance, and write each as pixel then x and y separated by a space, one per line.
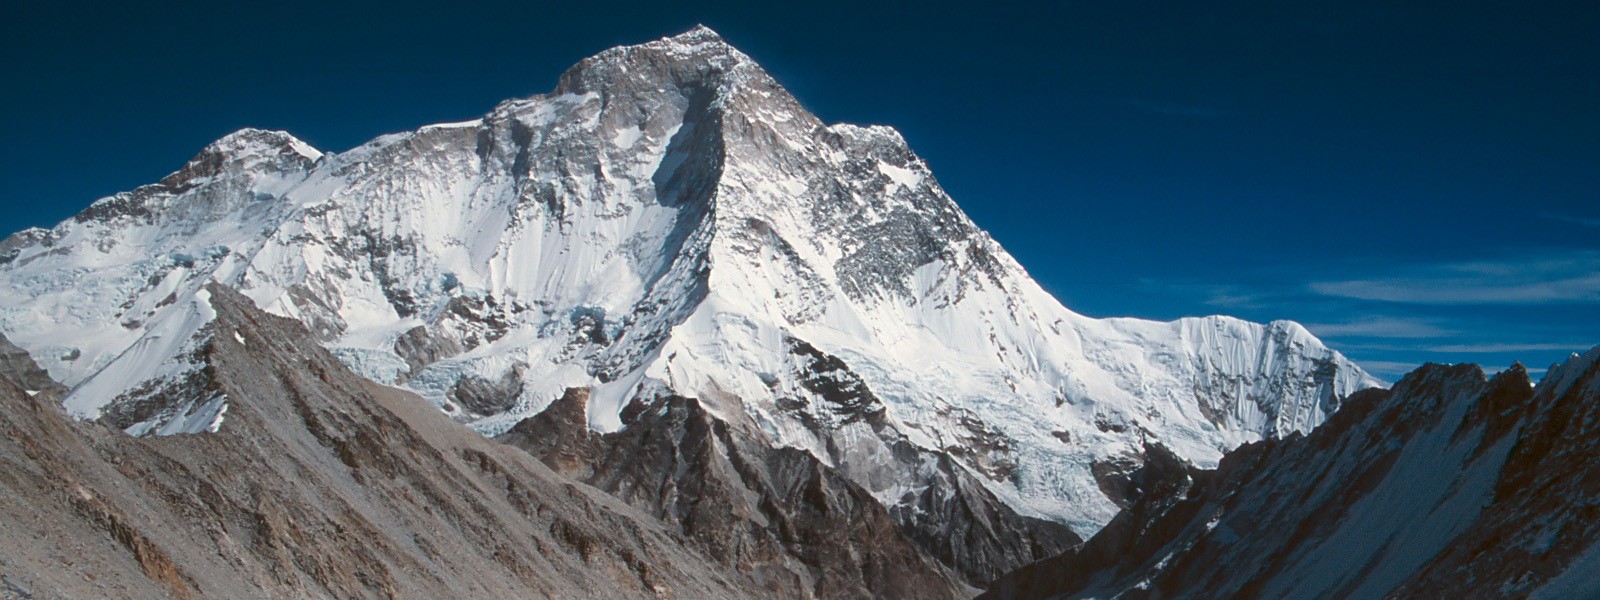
pixel 316 484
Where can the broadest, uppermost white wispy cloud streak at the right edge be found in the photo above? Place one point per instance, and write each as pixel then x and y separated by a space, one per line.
pixel 1570 278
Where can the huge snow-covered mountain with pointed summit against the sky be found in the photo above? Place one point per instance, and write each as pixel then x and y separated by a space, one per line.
pixel 668 218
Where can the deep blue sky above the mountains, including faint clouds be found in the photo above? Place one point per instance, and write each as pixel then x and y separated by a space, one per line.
pixel 1415 182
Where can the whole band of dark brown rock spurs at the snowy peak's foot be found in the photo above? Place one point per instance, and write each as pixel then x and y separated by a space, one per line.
pixel 802 526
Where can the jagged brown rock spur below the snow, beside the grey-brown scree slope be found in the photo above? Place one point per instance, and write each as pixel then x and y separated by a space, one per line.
pixel 796 526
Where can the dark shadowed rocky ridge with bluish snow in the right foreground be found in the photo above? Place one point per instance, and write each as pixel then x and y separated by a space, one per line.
pixel 1454 486
